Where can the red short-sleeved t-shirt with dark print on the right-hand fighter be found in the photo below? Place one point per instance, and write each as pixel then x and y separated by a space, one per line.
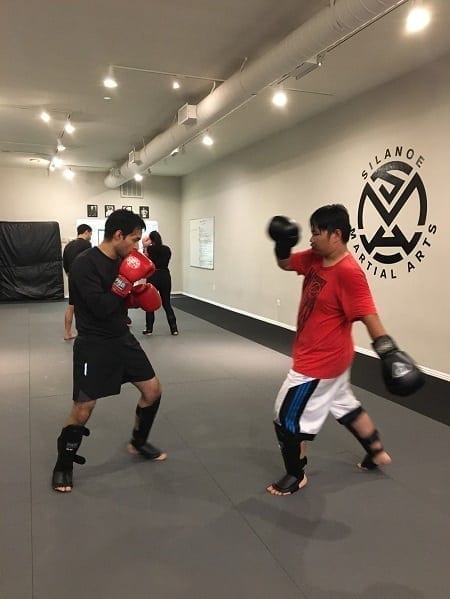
pixel 332 298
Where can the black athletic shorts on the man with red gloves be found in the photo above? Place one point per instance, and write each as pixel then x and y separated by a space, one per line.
pixel 100 367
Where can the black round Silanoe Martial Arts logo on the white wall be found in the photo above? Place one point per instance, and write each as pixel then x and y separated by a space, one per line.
pixel 392 235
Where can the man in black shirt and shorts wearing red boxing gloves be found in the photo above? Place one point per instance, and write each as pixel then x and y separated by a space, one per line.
pixel 106 354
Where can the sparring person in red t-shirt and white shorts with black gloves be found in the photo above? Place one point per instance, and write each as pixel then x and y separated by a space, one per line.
pixel 335 294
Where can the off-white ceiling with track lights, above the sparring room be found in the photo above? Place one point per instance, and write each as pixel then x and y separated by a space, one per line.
pixel 54 57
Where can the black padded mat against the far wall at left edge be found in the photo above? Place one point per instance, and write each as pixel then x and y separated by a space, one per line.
pixel 30 261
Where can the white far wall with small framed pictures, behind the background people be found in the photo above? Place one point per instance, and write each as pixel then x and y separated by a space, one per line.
pixel 32 195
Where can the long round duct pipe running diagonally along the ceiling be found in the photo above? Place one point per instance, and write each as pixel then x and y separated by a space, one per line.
pixel 325 29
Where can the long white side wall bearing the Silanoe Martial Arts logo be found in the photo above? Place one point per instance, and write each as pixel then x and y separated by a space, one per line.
pixel 319 162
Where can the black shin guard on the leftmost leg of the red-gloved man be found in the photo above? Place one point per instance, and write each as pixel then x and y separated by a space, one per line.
pixel 68 444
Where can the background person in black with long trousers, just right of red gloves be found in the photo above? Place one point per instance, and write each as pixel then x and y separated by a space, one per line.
pixel 160 255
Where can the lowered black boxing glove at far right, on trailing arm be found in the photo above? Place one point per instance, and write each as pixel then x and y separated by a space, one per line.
pixel 399 371
